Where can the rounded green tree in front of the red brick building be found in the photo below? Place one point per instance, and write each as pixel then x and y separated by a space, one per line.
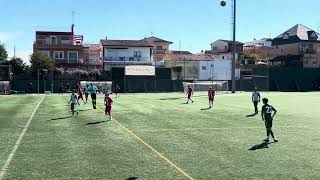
pixel 41 61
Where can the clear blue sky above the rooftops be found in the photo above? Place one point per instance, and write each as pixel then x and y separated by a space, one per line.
pixel 196 23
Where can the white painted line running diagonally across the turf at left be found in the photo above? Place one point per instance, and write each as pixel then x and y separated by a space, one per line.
pixel 15 147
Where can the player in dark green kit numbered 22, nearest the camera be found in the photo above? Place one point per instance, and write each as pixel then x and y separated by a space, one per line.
pixel 268 112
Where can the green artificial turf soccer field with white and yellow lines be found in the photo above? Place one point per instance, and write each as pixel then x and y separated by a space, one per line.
pixel 158 136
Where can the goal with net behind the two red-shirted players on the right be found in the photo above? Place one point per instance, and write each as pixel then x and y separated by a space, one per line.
pixel 203 86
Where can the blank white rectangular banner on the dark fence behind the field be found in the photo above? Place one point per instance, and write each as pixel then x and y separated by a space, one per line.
pixel 140 70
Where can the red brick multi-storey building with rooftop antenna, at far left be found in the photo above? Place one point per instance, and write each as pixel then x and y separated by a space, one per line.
pixel 65 48
